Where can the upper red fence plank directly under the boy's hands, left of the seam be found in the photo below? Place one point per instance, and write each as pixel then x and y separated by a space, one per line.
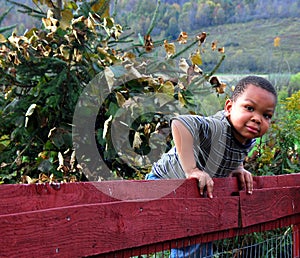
pixel 22 198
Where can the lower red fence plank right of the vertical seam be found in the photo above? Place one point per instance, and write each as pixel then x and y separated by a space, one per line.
pixel 269 204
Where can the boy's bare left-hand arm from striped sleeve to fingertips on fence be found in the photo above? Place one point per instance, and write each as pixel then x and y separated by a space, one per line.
pixel 184 145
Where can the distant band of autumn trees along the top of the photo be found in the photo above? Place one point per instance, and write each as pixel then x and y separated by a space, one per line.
pixel 190 15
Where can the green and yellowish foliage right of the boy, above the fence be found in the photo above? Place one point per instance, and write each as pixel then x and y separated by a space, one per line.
pixel 278 152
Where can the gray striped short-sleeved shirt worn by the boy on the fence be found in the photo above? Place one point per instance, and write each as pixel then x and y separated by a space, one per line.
pixel 215 149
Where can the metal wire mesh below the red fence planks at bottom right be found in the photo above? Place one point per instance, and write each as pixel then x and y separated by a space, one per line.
pixel 269 244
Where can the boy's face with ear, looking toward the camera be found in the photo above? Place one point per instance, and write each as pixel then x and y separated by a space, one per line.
pixel 251 113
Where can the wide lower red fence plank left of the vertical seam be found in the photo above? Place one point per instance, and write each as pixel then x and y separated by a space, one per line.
pixel 90 229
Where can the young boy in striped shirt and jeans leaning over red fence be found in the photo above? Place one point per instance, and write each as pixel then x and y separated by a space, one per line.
pixel 215 146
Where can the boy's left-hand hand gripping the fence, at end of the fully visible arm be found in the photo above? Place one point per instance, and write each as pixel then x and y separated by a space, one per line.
pixel 204 180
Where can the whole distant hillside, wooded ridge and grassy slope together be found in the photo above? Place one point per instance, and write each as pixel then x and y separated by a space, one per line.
pixel 248 41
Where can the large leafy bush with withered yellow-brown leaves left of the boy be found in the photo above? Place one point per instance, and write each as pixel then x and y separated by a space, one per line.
pixel 45 71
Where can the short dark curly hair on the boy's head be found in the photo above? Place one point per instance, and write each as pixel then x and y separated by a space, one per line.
pixel 256 81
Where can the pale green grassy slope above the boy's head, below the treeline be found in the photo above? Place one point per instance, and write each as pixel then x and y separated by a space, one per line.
pixel 249 46
